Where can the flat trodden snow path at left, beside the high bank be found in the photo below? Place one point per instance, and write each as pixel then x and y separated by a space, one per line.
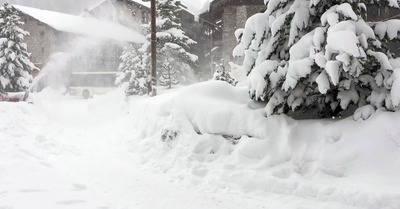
pixel 59 154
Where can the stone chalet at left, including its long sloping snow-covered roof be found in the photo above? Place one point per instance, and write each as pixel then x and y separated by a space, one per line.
pixel 53 32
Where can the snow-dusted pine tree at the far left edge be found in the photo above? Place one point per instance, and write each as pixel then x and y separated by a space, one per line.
pixel 15 65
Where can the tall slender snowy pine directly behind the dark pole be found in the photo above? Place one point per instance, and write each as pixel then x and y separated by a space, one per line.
pixel 174 61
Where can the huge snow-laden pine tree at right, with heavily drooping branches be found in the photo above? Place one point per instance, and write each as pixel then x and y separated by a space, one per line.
pixel 320 54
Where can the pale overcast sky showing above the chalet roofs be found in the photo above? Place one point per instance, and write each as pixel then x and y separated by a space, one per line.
pixel 77 6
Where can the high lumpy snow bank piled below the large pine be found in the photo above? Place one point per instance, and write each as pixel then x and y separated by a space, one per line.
pixel 224 139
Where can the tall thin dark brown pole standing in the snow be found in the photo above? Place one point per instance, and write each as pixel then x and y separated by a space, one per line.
pixel 153 49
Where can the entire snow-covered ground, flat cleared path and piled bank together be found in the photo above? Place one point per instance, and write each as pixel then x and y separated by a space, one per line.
pixel 106 152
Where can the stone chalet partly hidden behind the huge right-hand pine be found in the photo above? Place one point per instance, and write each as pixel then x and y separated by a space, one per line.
pixel 221 21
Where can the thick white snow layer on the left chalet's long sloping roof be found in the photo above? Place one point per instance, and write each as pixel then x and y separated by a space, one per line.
pixel 82 25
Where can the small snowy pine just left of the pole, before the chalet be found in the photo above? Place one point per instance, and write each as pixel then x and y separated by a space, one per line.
pixel 132 67
